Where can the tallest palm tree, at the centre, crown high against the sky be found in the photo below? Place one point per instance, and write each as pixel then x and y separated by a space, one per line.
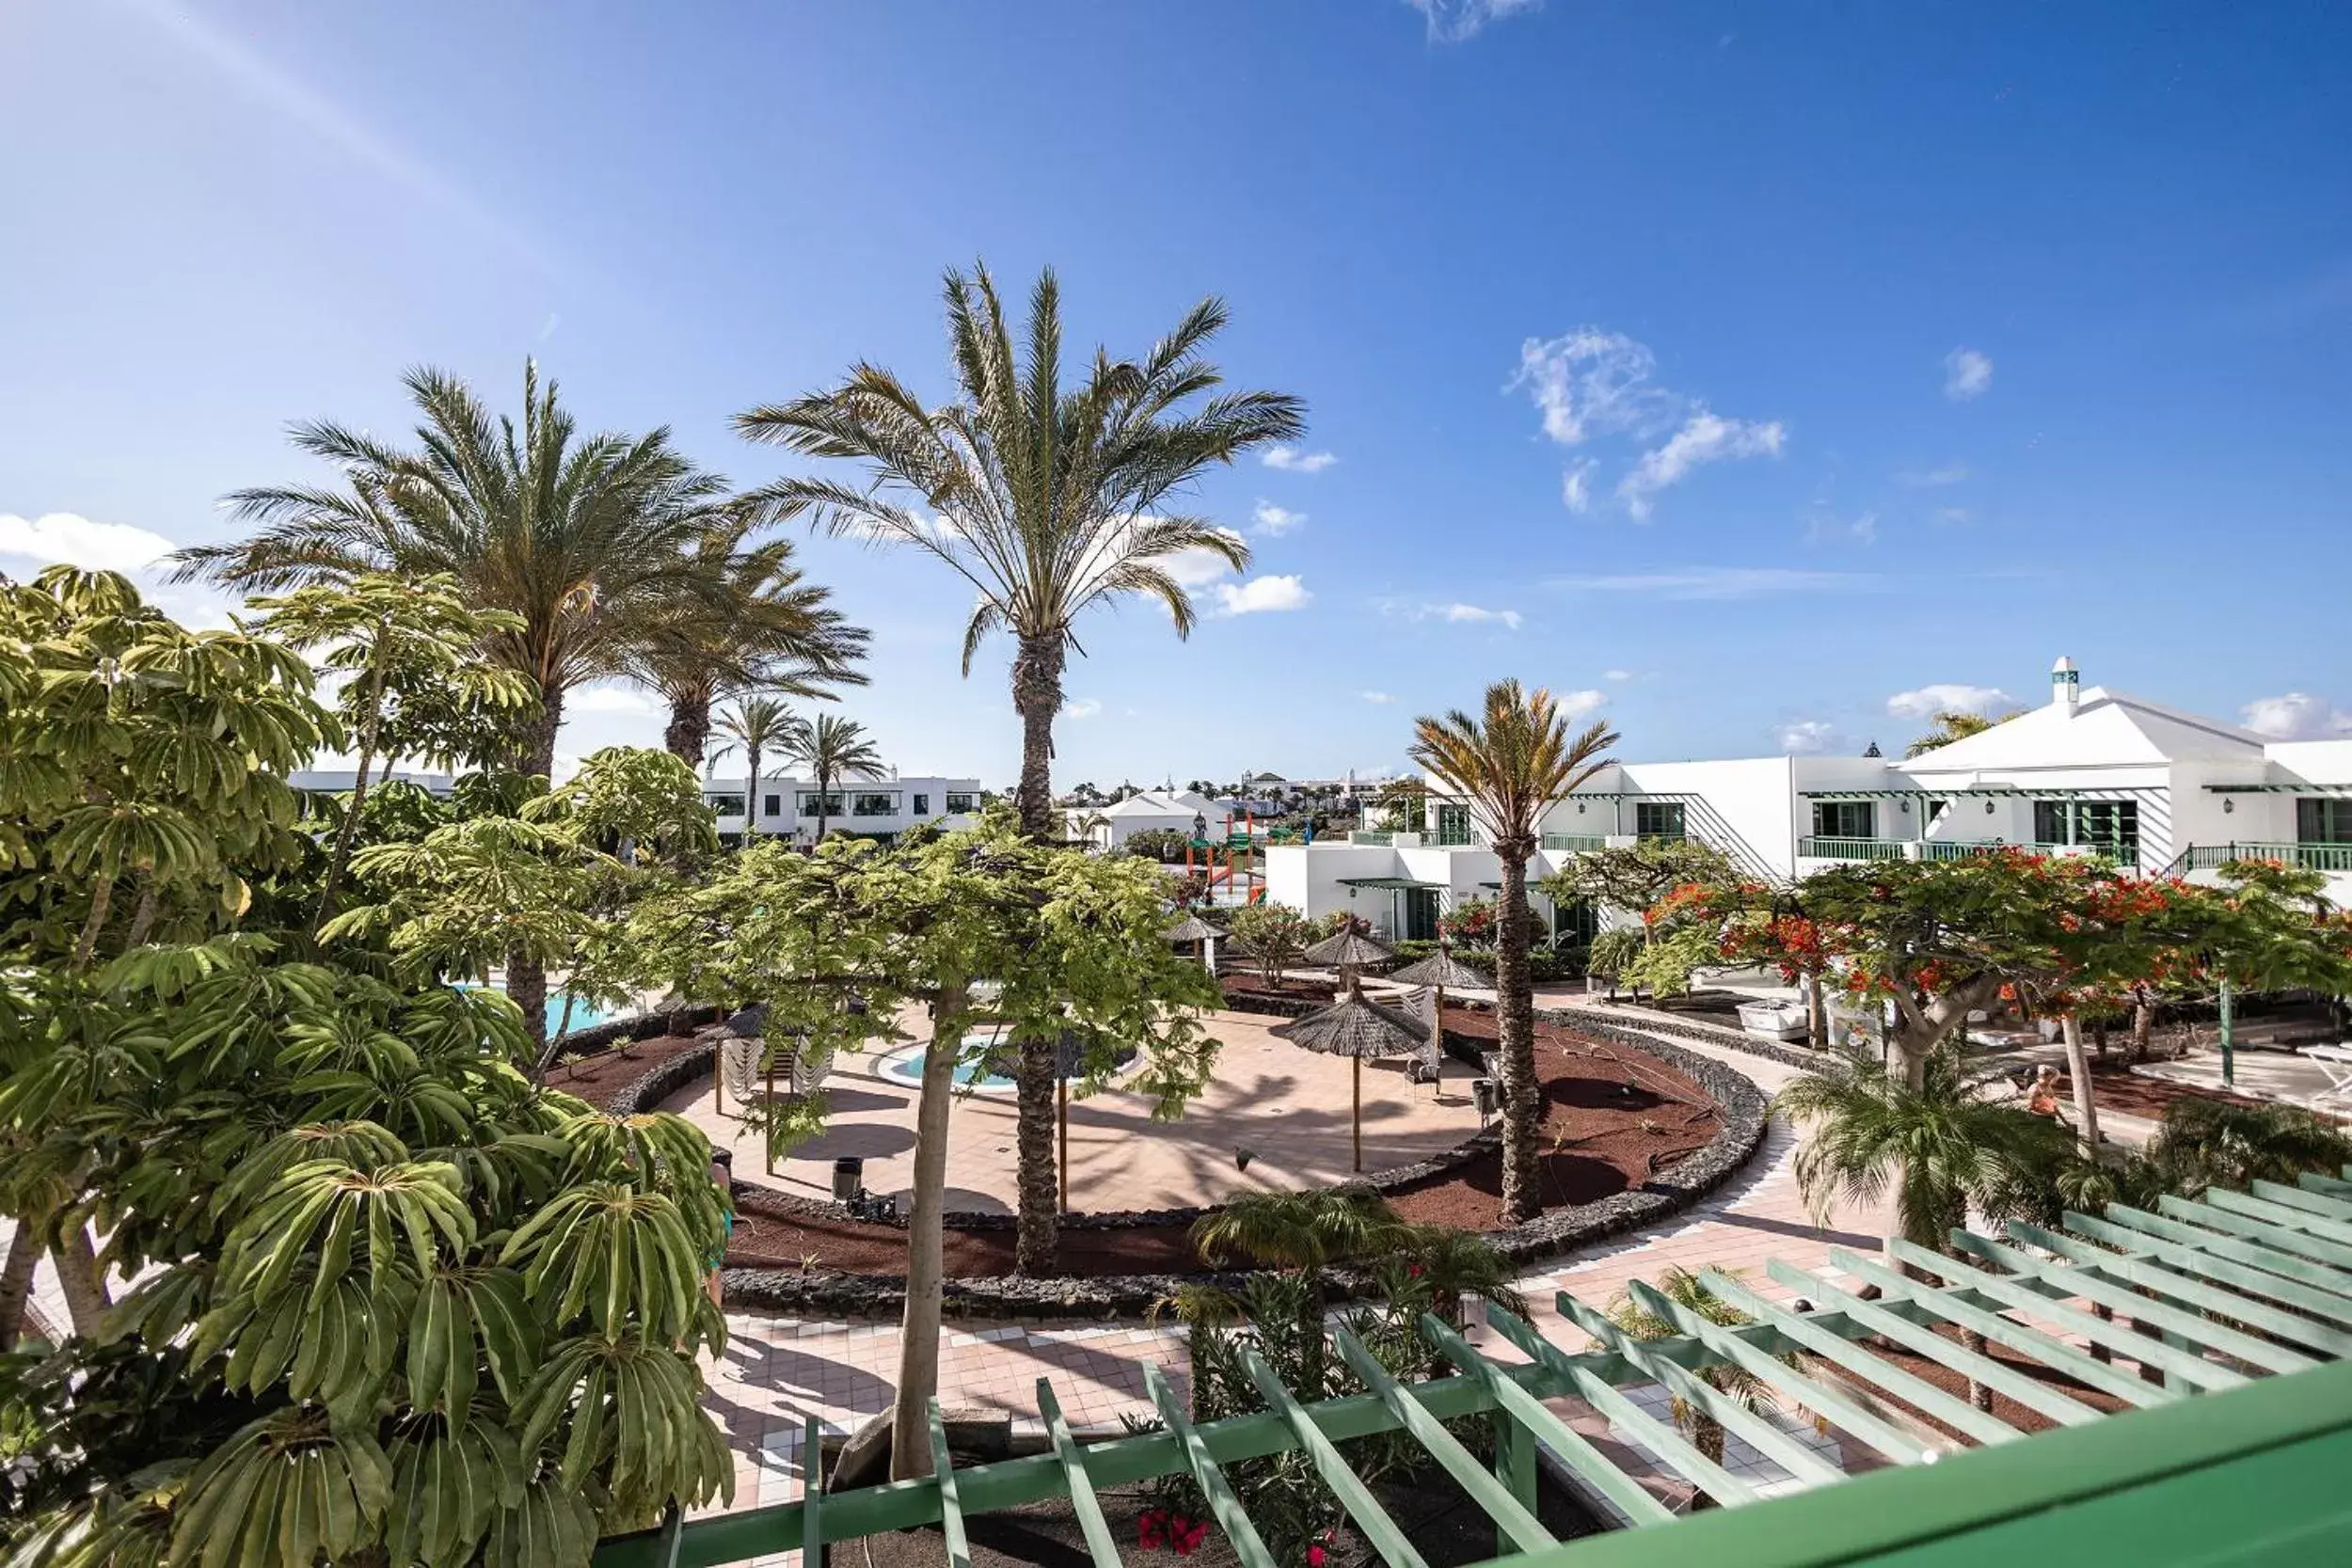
pixel 1048 500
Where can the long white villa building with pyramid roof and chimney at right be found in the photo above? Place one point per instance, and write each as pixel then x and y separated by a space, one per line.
pixel 2090 772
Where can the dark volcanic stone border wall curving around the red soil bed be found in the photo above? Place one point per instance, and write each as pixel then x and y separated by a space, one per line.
pixel 1744 1108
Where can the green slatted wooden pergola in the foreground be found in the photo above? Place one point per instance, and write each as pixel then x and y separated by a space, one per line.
pixel 2221 1322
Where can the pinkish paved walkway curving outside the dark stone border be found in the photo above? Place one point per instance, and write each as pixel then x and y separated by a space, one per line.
pixel 780 1369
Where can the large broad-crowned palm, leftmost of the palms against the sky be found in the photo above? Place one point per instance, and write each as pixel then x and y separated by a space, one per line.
pixel 589 540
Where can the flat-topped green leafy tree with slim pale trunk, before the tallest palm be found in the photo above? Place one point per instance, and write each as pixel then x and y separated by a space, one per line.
pixel 1071 944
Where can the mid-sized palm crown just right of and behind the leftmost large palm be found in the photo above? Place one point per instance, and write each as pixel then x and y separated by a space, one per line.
pixel 782 638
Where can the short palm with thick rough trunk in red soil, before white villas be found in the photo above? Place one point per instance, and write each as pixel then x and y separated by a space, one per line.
pixel 1509 768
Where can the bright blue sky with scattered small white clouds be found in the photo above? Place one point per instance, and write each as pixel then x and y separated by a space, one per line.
pixel 1744 370
